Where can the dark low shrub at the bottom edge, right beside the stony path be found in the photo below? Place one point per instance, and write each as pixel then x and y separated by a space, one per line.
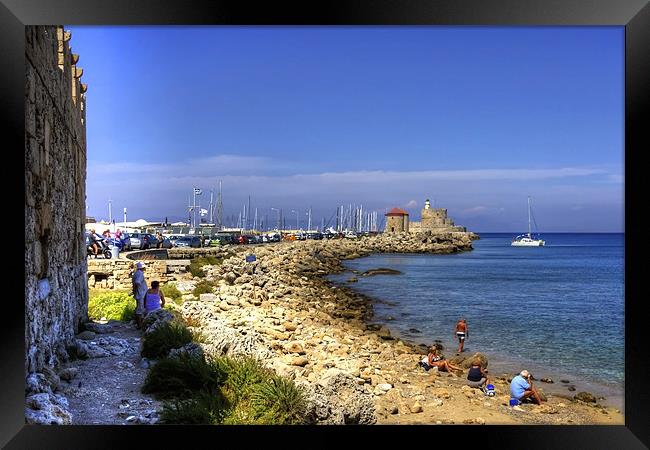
pixel 202 409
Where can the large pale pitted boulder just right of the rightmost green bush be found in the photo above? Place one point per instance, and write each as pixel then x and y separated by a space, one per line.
pixel 337 399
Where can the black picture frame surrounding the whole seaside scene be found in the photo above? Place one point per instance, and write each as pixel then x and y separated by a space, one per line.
pixel 634 15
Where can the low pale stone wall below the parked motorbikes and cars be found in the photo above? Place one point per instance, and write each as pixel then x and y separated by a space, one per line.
pixel 117 273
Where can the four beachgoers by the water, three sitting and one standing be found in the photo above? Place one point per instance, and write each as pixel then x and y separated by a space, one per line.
pixel 521 386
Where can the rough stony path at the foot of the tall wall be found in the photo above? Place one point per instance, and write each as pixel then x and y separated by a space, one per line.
pixel 106 389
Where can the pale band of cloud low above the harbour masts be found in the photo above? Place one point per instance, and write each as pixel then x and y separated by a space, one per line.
pixel 154 190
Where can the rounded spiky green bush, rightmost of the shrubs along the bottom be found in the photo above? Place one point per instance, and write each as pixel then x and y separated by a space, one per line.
pixel 278 402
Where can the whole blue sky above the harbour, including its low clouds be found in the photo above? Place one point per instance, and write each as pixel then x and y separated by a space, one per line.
pixel 475 118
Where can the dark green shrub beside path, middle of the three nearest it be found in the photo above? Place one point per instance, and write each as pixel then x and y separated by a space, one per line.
pixel 184 376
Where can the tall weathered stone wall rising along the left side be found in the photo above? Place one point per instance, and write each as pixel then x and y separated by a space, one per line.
pixel 56 295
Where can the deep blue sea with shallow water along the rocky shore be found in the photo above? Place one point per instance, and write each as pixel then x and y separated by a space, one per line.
pixel 557 311
